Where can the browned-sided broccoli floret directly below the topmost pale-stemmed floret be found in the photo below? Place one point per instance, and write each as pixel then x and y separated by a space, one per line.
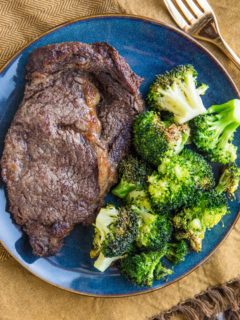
pixel 155 139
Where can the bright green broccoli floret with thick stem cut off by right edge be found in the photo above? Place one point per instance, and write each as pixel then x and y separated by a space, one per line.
pixel 213 132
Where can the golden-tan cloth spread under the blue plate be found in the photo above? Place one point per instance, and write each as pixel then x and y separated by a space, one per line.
pixel 22 295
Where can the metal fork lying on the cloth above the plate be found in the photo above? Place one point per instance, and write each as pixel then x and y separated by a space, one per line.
pixel 197 18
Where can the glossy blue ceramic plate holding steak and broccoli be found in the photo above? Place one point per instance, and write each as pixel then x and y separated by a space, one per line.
pixel 150 48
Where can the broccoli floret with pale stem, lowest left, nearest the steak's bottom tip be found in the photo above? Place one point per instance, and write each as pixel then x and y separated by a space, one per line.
pixel 115 233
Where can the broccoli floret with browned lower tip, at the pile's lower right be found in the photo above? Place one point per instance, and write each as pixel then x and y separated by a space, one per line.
pixel 205 211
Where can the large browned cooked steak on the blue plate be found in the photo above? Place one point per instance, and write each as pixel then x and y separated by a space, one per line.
pixel 67 138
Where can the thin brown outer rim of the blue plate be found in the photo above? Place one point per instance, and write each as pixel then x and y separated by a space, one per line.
pixel 219 64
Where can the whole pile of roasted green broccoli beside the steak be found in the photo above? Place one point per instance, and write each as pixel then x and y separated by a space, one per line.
pixel 169 210
